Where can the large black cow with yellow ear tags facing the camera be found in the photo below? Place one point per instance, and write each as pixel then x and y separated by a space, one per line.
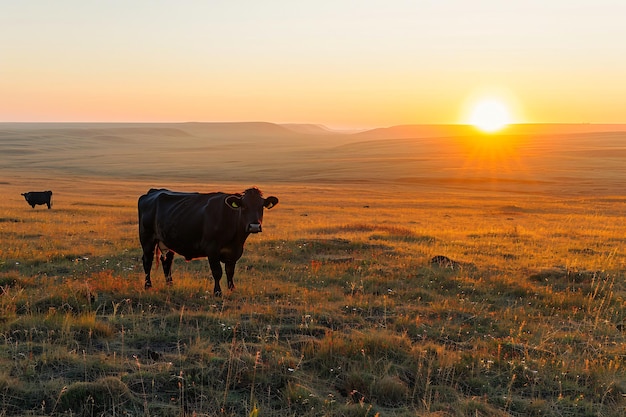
pixel 195 225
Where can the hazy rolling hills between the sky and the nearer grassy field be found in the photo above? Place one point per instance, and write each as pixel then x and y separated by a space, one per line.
pixel 524 158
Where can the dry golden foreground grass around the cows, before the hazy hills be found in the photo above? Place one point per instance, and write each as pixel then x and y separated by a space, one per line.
pixel 337 311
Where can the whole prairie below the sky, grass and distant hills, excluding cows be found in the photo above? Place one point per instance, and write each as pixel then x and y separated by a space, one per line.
pixel 339 309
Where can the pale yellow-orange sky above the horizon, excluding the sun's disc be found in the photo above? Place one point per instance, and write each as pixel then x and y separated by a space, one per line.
pixel 347 64
